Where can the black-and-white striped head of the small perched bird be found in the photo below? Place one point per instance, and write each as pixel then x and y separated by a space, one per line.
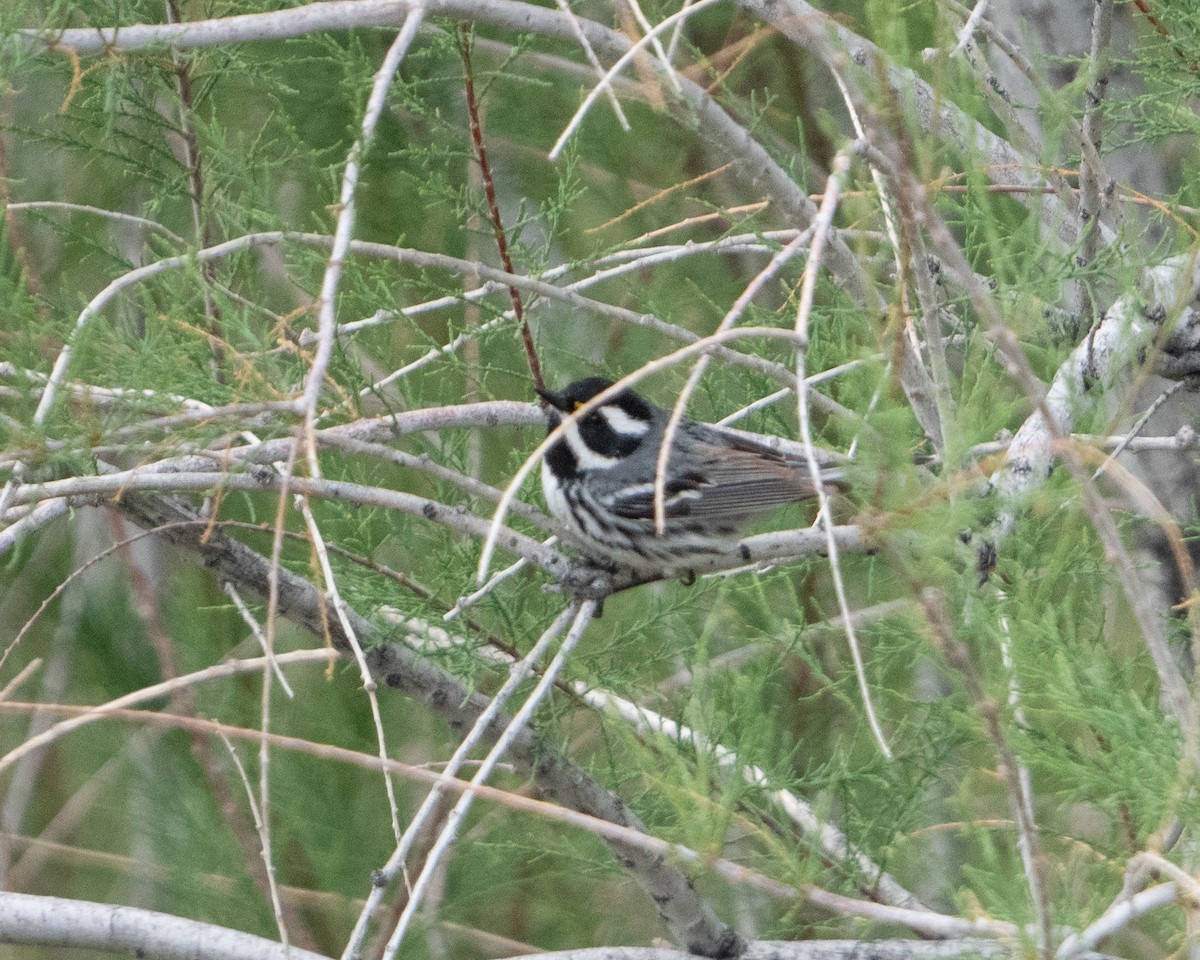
pixel 614 430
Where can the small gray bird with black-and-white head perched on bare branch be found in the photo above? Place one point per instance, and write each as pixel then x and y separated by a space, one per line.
pixel 599 482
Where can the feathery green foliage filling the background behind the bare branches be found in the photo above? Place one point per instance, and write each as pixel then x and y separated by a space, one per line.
pixel 746 663
